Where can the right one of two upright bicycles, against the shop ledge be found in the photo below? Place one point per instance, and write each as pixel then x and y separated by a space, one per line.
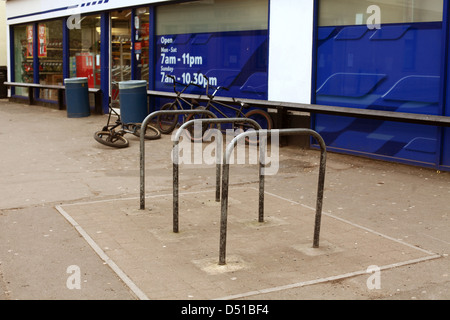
pixel 260 116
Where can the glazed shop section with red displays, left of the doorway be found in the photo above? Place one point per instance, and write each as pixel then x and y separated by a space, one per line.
pixel 46 52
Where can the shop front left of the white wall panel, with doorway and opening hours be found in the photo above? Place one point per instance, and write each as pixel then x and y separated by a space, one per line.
pixel 113 41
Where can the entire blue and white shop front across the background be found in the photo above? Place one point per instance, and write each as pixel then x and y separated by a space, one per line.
pixel 374 55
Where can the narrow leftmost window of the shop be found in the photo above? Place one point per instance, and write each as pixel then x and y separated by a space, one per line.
pixel 23 56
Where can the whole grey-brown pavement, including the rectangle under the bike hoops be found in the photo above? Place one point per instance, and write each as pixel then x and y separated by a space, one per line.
pixel 68 202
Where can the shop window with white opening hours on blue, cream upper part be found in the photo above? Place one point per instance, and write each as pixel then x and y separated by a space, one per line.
pixel 225 40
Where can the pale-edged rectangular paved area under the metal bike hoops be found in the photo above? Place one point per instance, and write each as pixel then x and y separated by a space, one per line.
pixel 261 257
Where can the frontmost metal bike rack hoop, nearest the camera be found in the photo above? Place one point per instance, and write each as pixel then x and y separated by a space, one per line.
pixel 225 183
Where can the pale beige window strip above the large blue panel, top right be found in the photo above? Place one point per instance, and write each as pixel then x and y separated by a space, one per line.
pixel 355 12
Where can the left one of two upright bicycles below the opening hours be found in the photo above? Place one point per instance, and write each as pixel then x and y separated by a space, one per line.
pixel 167 123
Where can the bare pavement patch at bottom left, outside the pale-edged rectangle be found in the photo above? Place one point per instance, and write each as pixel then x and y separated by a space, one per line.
pixel 39 255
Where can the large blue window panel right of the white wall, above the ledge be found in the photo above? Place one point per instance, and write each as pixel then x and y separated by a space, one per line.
pixel 393 71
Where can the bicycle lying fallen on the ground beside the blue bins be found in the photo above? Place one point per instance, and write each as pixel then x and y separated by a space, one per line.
pixel 112 135
